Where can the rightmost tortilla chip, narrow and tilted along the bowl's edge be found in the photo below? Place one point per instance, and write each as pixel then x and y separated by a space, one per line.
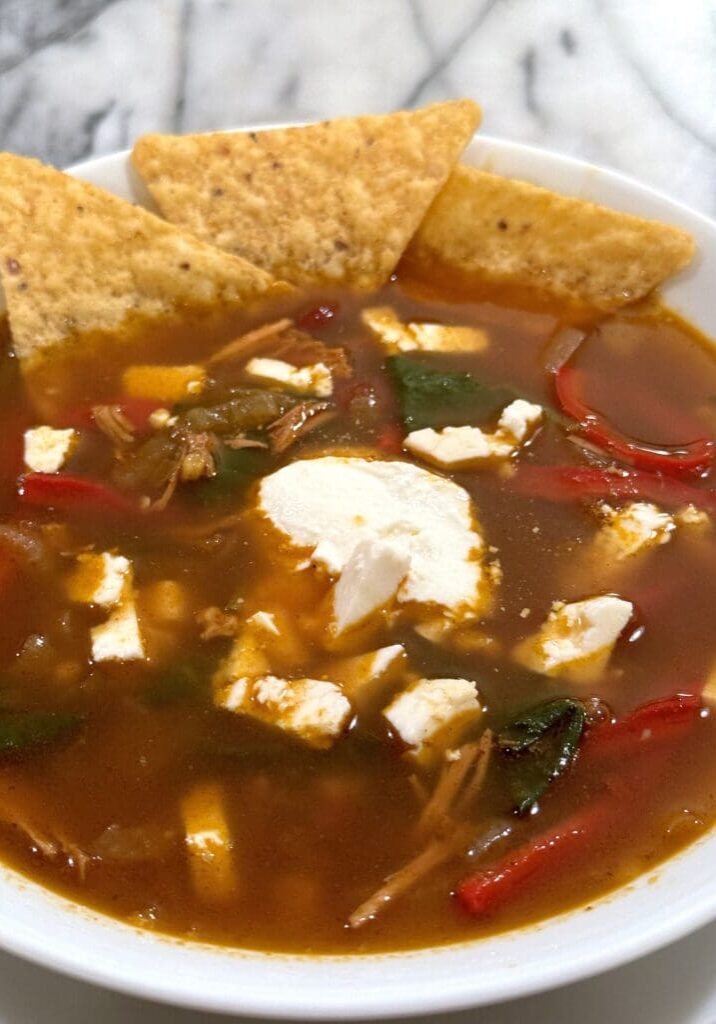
pixel 517 233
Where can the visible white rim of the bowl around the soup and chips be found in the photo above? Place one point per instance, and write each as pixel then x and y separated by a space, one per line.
pixel 407 992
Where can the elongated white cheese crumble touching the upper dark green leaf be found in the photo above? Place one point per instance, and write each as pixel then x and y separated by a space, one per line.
pixel 456 448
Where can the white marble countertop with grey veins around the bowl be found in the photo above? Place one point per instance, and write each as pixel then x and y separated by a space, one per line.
pixel 627 83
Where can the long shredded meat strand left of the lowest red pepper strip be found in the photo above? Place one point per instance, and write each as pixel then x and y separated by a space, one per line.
pixel 441 824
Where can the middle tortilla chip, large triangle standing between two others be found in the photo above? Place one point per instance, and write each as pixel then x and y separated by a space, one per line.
pixel 331 203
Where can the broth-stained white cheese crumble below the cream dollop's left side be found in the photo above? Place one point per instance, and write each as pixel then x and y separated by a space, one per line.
pixel 314 710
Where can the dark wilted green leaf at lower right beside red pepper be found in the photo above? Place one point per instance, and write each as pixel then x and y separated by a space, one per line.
pixel 543 743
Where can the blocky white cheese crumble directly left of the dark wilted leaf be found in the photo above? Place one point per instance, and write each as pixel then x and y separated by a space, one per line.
pixel 432 711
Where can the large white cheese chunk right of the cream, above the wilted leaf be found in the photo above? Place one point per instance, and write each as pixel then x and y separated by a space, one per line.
pixel 577 641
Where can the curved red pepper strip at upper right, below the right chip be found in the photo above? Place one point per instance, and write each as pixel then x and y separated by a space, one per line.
pixel 691 460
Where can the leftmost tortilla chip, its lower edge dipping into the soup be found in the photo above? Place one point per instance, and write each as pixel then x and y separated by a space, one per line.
pixel 75 260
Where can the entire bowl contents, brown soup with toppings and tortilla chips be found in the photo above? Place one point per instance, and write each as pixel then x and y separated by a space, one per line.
pixel 356 533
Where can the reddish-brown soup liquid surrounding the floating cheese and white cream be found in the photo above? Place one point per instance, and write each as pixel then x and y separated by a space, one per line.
pixel 102 759
